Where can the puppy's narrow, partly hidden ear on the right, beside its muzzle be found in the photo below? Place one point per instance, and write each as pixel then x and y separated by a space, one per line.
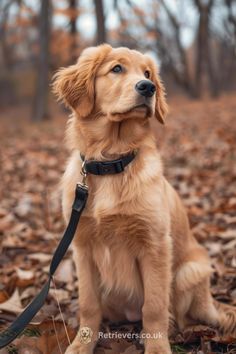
pixel 161 107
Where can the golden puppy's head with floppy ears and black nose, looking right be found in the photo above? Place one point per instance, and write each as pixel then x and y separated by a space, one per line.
pixel 119 83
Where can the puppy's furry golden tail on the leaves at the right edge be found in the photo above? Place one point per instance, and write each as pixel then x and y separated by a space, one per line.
pixel 227 318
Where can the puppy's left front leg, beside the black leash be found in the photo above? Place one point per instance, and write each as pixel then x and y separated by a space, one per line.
pixel 89 304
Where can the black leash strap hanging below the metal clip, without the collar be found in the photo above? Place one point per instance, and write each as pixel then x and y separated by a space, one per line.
pixel 9 334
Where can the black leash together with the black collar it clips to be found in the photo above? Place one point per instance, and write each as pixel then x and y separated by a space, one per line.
pixel 81 195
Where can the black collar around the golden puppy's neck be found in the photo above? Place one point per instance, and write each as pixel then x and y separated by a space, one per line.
pixel 107 167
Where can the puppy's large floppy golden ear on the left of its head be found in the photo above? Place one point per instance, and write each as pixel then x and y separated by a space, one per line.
pixel 75 85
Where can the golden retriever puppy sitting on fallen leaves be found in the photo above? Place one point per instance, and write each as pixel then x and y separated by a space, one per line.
pixel 135 255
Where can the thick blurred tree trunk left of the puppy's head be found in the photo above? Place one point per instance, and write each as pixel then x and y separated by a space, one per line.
pixel 40 109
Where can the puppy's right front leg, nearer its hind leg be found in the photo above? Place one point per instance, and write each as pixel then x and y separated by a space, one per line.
pixel 155 265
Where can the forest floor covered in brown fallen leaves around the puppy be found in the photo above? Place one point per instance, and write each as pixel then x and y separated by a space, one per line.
pixel 198 147
